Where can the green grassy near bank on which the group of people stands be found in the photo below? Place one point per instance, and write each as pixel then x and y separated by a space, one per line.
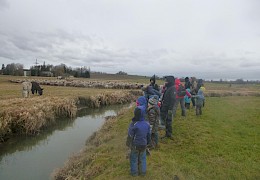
pixel 223 143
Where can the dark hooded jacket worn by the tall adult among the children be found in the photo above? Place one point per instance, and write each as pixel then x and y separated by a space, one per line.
pixel 169 96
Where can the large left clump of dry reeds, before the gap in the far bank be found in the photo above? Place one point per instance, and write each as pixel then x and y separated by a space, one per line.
pixel 28 116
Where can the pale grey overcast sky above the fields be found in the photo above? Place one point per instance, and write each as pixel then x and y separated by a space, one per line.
pixel 216 39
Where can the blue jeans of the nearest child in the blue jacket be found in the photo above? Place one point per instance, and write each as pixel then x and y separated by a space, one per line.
pixel 138 161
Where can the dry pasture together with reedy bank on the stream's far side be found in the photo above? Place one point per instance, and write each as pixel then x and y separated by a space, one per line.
pixel 30 115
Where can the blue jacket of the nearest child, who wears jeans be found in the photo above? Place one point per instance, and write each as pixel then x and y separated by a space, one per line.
pixel 139 130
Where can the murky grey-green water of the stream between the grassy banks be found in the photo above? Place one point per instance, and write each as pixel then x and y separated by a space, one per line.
pixel 36 157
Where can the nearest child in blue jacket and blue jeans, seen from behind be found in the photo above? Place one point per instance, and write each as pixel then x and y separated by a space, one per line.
pixel 139 135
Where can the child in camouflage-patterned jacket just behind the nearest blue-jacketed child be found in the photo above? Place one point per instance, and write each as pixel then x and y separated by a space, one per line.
pixel 153 116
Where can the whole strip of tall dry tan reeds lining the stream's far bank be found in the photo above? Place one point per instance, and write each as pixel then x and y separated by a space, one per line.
pixel 30 115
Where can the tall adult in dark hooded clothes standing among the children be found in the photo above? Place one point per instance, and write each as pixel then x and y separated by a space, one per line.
pixel 168 101
